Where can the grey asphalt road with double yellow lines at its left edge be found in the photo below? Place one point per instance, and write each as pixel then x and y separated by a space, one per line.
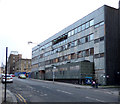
pixel 27 90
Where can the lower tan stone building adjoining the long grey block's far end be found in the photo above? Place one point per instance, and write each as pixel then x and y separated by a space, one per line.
pixel 23 65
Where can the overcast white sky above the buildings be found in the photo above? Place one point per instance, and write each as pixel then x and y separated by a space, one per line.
pixel 36 20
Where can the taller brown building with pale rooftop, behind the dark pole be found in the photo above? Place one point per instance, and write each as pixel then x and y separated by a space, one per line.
pixel 14 56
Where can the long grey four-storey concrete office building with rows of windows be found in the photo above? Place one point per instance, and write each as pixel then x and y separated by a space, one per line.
pixel 93 39
